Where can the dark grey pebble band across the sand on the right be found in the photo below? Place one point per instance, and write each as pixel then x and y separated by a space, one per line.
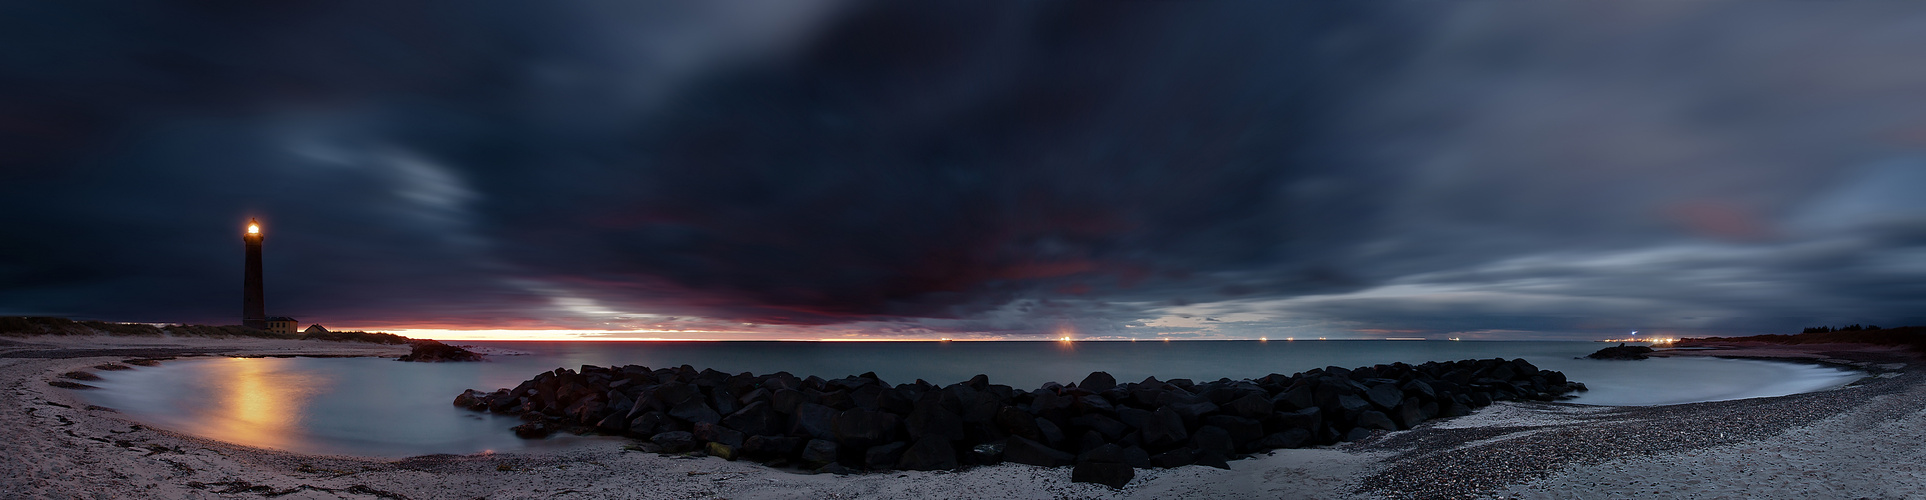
pixel 1474 459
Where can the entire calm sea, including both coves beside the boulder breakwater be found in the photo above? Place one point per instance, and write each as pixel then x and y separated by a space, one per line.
pixel 369 407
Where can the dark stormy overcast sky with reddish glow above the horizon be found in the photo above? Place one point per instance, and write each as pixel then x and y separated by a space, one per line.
pixel 1026 170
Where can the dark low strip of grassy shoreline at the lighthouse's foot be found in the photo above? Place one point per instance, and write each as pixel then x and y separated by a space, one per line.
pixel 24 326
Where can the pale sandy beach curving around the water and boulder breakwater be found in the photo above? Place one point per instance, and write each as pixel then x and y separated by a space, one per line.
pixel 1863 441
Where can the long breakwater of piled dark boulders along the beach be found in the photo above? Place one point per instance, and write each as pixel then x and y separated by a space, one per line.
pixel 1103 428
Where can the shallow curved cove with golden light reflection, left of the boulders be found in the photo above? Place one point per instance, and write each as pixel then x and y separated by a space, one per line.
pixel 355 407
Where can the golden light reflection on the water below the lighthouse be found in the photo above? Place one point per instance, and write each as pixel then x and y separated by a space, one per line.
pixel 255 403
